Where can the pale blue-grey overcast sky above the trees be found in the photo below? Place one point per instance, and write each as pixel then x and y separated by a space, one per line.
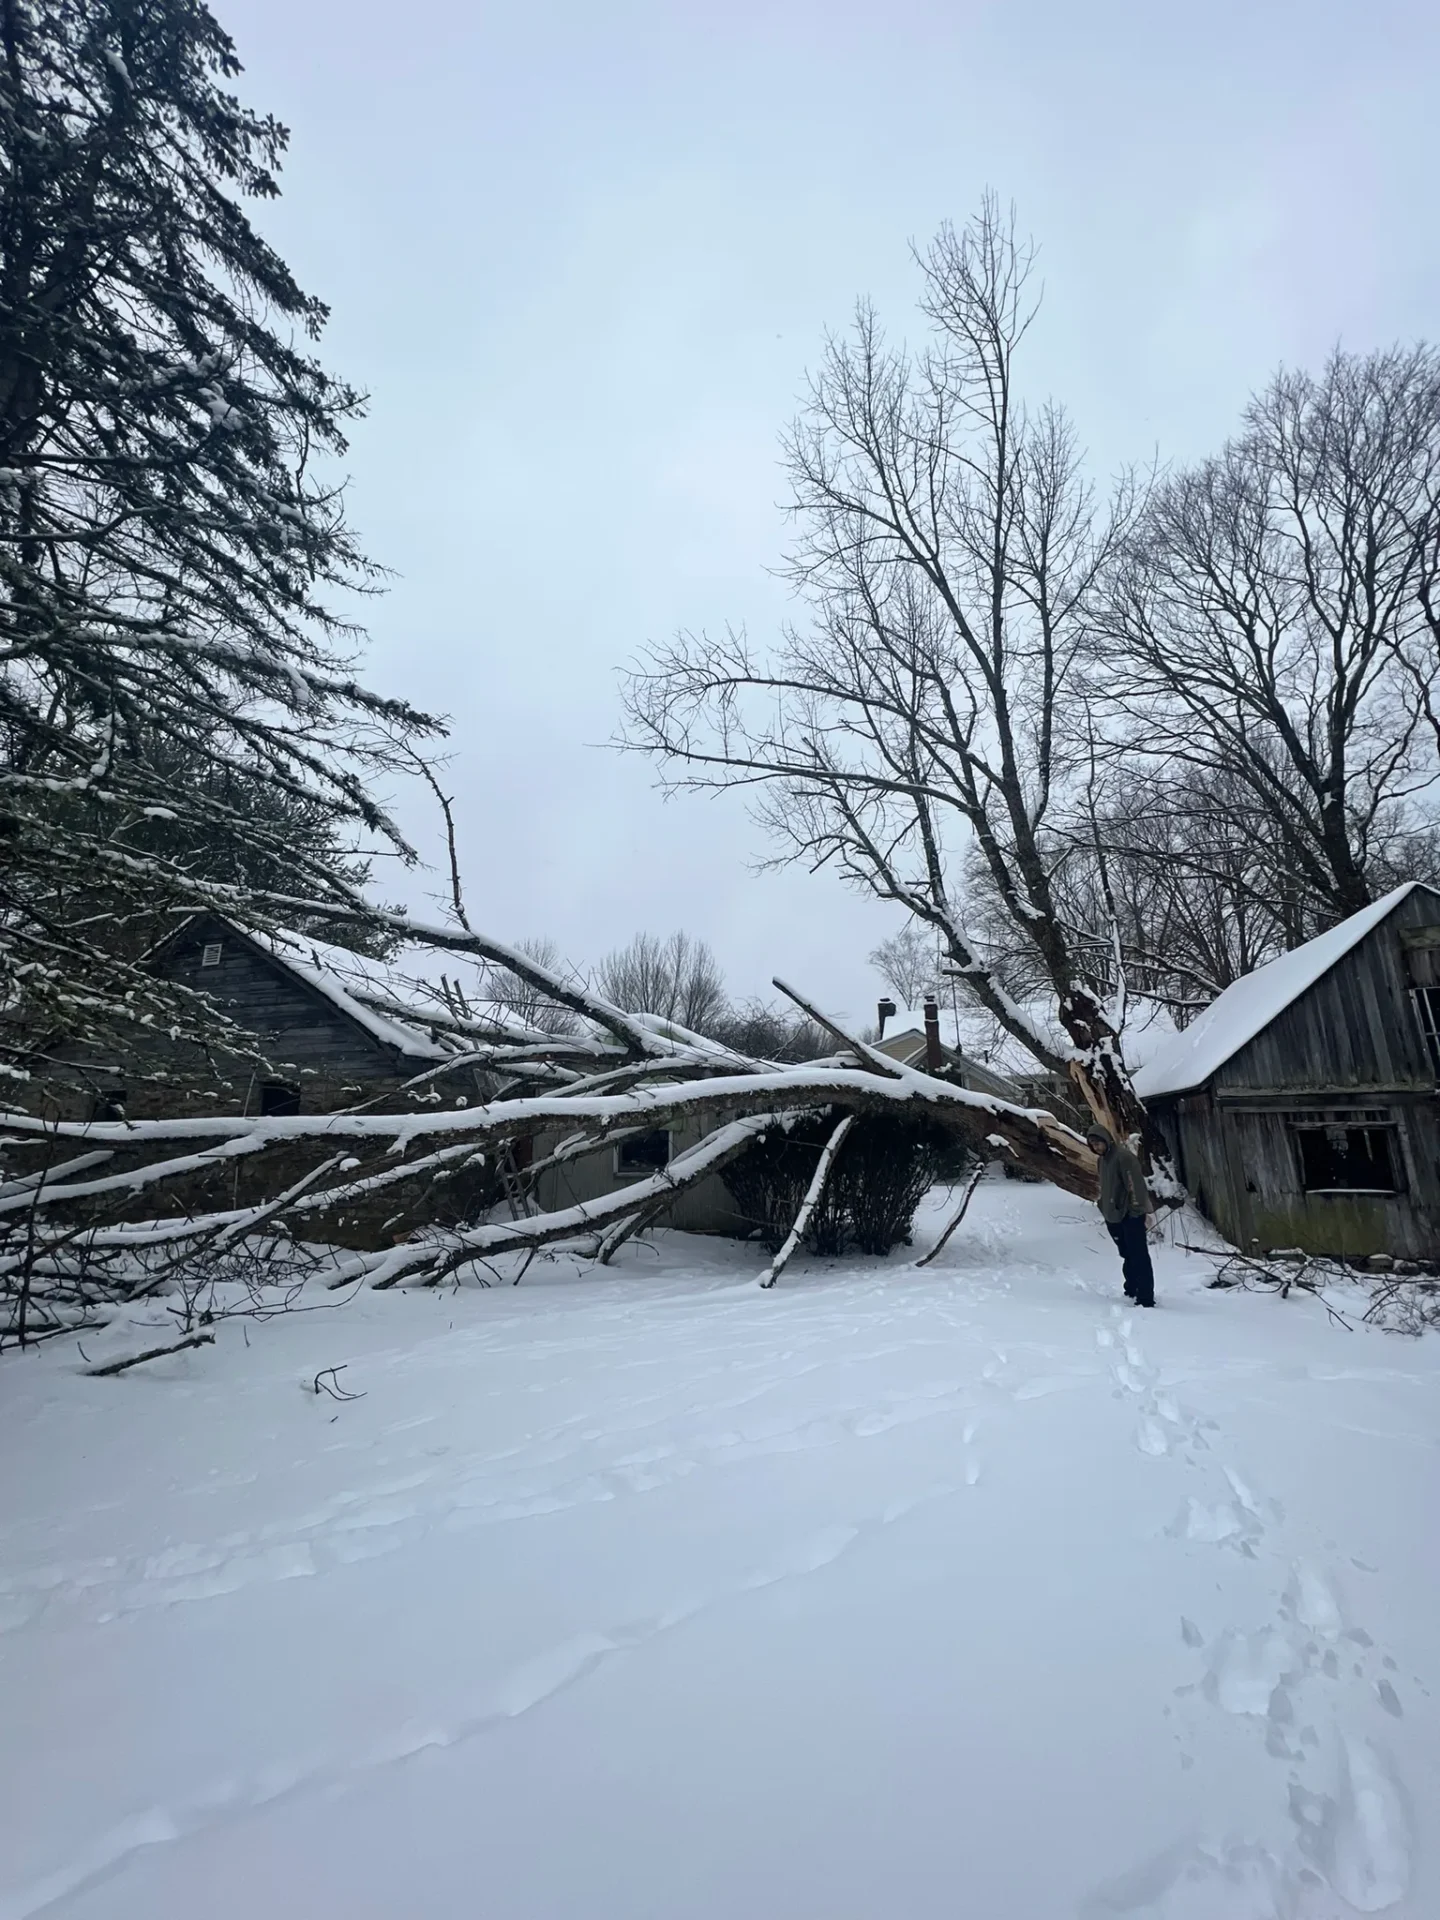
pixel 581 256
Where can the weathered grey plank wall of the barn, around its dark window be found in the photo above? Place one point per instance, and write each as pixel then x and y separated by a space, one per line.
pixel 1351 1044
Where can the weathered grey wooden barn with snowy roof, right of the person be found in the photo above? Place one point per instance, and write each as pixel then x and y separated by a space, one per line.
pixel 1303 1105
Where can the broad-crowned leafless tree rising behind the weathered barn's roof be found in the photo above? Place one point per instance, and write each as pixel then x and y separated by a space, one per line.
pixel 1264 633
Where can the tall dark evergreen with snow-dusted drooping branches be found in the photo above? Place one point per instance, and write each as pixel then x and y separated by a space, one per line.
pixel 180 719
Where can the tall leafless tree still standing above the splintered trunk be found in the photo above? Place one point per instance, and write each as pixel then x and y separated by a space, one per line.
pixel 948 550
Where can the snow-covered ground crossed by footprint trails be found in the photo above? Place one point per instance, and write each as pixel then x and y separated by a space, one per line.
pixel 882 1596
